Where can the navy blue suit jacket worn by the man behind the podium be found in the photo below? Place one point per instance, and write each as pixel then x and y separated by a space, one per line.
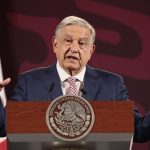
pixel 44 84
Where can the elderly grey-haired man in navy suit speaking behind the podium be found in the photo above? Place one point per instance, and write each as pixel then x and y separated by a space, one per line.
pixel 73 45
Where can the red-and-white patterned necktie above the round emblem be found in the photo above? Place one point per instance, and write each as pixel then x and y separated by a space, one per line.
pixel 72 90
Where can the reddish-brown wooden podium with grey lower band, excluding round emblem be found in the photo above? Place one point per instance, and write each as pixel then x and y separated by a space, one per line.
pixel 27 129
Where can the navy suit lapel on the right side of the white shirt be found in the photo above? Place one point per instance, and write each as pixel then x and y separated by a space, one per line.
pixel 92 84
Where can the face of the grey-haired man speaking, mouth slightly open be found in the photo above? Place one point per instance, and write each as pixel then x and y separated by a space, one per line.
pixel 73 47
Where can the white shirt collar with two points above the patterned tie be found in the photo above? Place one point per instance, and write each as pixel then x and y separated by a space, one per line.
pixel 64 75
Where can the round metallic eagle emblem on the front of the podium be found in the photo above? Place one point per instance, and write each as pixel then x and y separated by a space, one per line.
pixel 70 118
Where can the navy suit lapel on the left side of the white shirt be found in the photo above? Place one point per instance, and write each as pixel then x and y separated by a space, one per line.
pixel 52 82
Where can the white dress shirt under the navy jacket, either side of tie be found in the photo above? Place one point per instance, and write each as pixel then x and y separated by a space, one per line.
pixel 64 75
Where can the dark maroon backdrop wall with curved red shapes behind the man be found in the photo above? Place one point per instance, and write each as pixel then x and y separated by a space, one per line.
pixel 122 43
